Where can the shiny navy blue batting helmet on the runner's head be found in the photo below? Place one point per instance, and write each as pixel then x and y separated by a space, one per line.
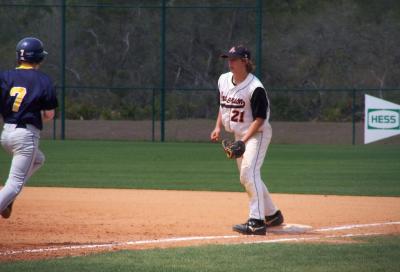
pixel 30 50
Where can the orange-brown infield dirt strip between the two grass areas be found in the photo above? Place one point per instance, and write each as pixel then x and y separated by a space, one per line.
pixel 48 222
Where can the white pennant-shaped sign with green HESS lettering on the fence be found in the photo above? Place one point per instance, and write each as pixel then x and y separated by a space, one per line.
pixel 382 119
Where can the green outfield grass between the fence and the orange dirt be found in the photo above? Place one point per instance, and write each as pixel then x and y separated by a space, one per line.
pixel 314 169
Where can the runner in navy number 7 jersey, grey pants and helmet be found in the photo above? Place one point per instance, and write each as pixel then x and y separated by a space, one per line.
pixel 28 98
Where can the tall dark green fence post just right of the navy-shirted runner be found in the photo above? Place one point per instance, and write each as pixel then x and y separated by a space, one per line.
pixel 63 58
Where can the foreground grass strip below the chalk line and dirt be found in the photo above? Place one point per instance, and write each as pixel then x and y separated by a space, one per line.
pixel 373 254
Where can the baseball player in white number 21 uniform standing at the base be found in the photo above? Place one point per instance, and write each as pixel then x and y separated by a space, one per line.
pixel 244 110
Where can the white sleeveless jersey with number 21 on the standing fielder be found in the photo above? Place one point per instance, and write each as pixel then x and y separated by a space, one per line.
pixel 235 103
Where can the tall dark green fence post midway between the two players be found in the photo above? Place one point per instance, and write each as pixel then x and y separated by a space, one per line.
pixel 162 79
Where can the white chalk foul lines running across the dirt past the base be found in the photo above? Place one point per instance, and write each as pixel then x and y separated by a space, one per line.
pixel 201 238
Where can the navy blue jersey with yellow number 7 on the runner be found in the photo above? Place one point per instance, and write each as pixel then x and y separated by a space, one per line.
pixel 24 94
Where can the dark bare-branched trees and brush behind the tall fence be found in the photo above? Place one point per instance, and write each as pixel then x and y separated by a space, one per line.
pixel 113 50
